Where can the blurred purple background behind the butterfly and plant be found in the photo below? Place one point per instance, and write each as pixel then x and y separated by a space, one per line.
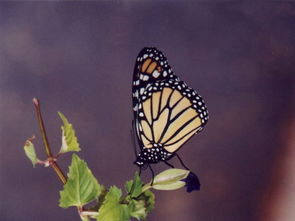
pixel 78 58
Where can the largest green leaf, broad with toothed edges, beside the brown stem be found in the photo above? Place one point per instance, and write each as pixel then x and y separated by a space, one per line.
pixel 81 187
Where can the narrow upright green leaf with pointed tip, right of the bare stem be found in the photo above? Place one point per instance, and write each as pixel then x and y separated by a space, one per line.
pixel 69 139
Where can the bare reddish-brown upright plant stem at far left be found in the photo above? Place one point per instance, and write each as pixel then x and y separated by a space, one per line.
pixel 53 164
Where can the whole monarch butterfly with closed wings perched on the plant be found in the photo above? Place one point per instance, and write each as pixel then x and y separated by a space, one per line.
pixel 167 113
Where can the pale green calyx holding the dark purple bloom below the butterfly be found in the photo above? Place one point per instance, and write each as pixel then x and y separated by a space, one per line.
pixel 170 179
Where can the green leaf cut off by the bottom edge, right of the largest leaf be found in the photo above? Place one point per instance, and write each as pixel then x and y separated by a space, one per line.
pixel 112 209
